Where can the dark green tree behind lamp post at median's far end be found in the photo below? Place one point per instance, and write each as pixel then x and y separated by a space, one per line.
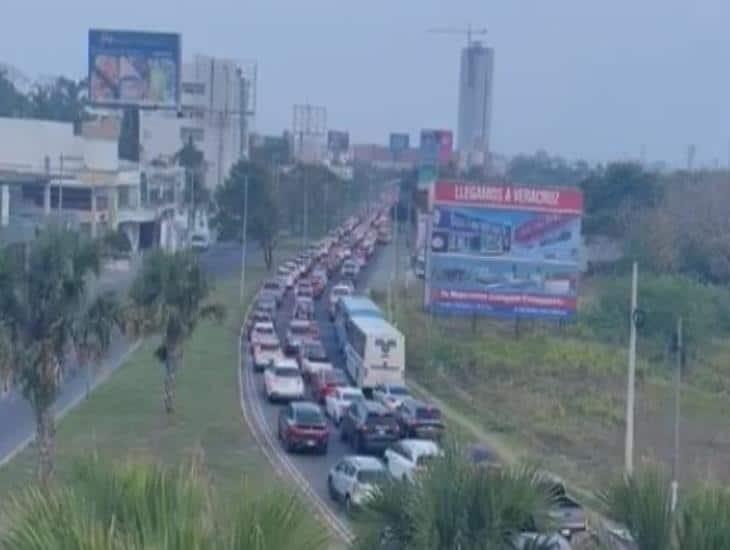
pixel 263 207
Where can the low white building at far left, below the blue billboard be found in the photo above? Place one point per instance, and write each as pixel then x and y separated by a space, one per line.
pixel 49 174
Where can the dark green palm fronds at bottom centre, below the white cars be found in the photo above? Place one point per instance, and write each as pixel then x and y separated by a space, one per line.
pixel 455 504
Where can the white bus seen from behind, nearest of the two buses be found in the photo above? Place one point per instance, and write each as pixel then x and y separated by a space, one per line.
pixel 375 352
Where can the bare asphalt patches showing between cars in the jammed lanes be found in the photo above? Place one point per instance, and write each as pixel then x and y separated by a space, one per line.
pixel 312 467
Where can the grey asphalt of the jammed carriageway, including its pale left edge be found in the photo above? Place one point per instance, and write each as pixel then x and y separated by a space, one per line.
pixel 308 468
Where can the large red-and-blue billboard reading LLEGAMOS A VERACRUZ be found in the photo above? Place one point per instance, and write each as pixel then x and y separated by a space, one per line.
pixel 504 251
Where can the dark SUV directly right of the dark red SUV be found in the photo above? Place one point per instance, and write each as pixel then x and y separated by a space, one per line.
pixel 368 427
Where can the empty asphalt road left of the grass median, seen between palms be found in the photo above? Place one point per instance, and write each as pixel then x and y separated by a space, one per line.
pixel 17 425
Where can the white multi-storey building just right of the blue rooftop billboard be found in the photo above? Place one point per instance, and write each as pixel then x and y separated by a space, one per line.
pixel 216 106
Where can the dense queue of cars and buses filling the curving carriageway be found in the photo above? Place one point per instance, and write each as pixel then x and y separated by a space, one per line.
pixel 360 395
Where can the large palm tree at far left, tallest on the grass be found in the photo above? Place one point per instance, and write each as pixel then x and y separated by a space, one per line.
pixel 44 302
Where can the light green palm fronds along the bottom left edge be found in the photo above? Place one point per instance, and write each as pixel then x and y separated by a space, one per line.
pixel 141 506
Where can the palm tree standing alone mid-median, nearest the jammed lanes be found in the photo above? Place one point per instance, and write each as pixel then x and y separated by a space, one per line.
pixel 169 297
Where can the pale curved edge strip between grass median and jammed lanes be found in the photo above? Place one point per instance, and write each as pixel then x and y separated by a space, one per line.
pixel 259 427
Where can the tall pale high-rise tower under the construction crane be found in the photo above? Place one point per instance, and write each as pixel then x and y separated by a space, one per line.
pixel 475 104
